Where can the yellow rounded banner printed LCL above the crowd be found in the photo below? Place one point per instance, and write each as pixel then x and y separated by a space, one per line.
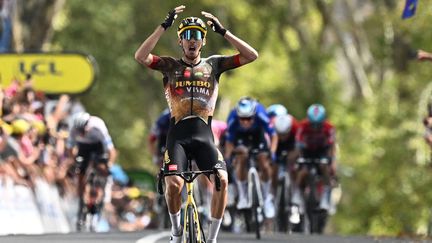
pixel 58 73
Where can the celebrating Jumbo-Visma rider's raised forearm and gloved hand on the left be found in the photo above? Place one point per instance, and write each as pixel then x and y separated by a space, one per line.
pixel 143 55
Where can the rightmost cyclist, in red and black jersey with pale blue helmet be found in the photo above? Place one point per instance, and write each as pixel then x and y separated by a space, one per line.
pixel 316 140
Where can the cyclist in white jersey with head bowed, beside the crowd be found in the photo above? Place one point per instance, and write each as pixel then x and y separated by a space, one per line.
pixel 90 136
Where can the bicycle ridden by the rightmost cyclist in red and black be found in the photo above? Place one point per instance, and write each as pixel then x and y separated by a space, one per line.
pixel 315 218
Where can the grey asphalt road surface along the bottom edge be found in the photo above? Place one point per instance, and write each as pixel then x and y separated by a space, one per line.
pixel 162 236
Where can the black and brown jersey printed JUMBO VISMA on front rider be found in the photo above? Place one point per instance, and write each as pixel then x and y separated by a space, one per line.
pixel 193 90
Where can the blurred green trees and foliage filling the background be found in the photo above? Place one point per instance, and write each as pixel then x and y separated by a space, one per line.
pixel 385 182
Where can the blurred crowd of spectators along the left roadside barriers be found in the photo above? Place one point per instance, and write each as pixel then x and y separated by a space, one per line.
pixel 33 130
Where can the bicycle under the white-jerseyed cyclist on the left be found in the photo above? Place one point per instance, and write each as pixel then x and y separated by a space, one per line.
pixel 92 197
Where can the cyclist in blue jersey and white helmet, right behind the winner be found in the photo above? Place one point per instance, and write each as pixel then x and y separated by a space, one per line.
pixel 248 129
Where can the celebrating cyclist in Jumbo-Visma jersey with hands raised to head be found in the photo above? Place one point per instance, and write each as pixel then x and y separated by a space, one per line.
pixel 191 89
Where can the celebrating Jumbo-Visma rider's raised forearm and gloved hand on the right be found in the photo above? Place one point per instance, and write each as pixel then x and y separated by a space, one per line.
pixel 247 52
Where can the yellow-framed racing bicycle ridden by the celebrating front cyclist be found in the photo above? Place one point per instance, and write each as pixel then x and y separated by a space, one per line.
pixel 192 227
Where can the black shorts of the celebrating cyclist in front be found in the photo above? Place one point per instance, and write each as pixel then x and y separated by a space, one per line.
pixel 191 139
